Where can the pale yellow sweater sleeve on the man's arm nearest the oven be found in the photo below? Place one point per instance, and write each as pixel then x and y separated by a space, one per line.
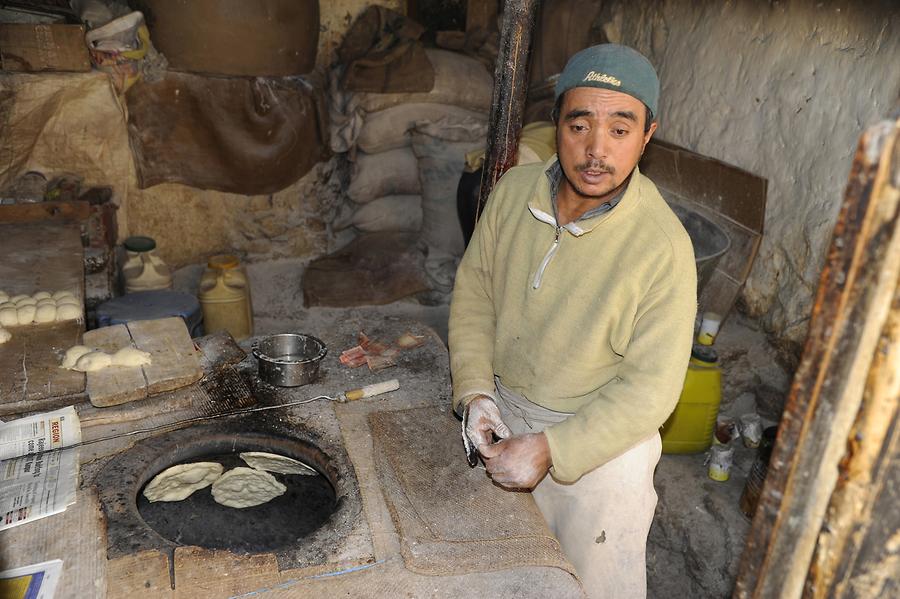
pixel 472 318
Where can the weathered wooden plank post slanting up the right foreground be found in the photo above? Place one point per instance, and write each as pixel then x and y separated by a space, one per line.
pixel 828 512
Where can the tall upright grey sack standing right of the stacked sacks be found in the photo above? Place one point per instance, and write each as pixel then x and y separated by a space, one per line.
pixel 440 147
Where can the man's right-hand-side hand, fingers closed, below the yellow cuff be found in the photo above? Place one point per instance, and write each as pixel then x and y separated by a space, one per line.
pixel 519 462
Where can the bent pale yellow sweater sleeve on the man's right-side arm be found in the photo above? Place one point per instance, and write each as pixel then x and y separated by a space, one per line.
pixel 634 404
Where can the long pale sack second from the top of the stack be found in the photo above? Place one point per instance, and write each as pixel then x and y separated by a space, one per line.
pixel 389 129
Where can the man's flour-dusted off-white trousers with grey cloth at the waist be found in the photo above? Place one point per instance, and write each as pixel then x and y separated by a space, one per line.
pixel 603 519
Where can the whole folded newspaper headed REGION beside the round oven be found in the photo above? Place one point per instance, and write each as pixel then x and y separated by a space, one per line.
pixel 36 480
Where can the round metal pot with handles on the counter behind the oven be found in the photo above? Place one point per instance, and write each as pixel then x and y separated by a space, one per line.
pixel 290 359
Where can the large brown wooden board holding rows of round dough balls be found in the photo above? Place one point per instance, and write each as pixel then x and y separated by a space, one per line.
pixel 40 257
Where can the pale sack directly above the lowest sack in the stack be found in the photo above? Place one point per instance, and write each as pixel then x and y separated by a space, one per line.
pixel 388 173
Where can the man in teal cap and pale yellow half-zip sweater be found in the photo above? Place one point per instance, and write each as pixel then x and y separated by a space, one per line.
pixel 571 323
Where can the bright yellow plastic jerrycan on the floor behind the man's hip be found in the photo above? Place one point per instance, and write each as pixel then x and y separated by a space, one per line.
pixel 690 427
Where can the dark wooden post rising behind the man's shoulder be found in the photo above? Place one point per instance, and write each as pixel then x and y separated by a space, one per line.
pixel 510 91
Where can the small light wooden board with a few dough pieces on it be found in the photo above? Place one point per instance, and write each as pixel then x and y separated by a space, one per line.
pixel 175 360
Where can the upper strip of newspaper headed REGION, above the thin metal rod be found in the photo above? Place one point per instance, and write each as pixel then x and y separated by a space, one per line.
pixel 34 434
